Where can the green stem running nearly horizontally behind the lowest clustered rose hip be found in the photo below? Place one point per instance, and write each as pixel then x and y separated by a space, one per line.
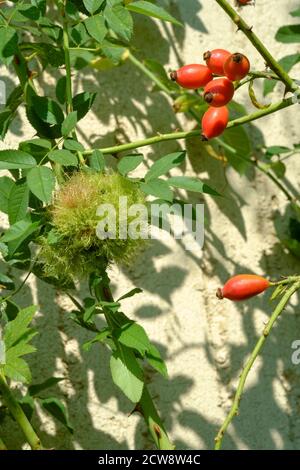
pixel 188 134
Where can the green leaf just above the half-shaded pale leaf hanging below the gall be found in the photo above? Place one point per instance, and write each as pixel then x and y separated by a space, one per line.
pixel 133 336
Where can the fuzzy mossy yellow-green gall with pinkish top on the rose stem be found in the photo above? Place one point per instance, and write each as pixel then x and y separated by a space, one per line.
pixel 72 248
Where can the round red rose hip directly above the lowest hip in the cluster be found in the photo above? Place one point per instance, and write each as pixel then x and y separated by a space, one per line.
pixel 218 92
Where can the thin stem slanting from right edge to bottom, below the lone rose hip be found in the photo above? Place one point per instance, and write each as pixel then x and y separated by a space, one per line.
pixel 260 343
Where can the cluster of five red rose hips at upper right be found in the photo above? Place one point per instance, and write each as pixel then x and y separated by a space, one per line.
pixel 218 91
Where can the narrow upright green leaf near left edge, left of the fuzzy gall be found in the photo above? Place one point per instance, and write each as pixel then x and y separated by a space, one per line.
pixel 18 201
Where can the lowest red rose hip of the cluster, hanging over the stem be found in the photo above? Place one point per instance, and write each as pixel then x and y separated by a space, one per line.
pixel 214 122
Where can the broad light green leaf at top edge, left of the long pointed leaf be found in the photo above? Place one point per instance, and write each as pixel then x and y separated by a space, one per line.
pixel 119 20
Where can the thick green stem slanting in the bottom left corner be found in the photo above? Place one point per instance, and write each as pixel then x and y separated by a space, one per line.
pixel 19 415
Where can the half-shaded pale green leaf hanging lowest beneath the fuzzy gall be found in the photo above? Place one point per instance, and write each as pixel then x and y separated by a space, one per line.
pixel 127 373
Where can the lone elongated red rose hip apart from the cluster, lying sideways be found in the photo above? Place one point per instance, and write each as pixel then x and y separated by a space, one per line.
pixel 243 287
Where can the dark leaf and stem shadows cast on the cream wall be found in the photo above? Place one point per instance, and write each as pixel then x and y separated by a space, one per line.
pixel 127 100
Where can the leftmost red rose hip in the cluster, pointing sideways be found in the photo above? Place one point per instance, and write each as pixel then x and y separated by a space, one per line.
pixel 192 76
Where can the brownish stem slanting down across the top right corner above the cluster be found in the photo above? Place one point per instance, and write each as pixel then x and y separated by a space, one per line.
pixel 259 46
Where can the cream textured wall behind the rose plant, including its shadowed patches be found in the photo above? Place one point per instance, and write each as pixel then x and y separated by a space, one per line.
pixel 205 342
